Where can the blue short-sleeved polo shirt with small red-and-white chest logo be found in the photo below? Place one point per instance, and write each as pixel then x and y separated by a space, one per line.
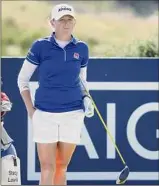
pixel 59 85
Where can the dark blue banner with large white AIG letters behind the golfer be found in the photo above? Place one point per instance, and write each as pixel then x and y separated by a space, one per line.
pixel 126 94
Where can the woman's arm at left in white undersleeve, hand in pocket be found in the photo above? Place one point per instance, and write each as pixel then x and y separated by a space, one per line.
pixel 24 76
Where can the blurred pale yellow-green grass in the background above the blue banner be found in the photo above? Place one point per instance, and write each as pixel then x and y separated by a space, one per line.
pixel 108 33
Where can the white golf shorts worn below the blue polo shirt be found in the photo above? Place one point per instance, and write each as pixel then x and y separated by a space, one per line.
pixel 57 127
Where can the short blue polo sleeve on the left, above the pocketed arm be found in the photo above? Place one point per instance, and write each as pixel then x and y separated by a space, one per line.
pixel 33 55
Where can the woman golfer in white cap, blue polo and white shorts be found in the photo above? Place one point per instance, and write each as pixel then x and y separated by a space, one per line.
pixel 60 101
